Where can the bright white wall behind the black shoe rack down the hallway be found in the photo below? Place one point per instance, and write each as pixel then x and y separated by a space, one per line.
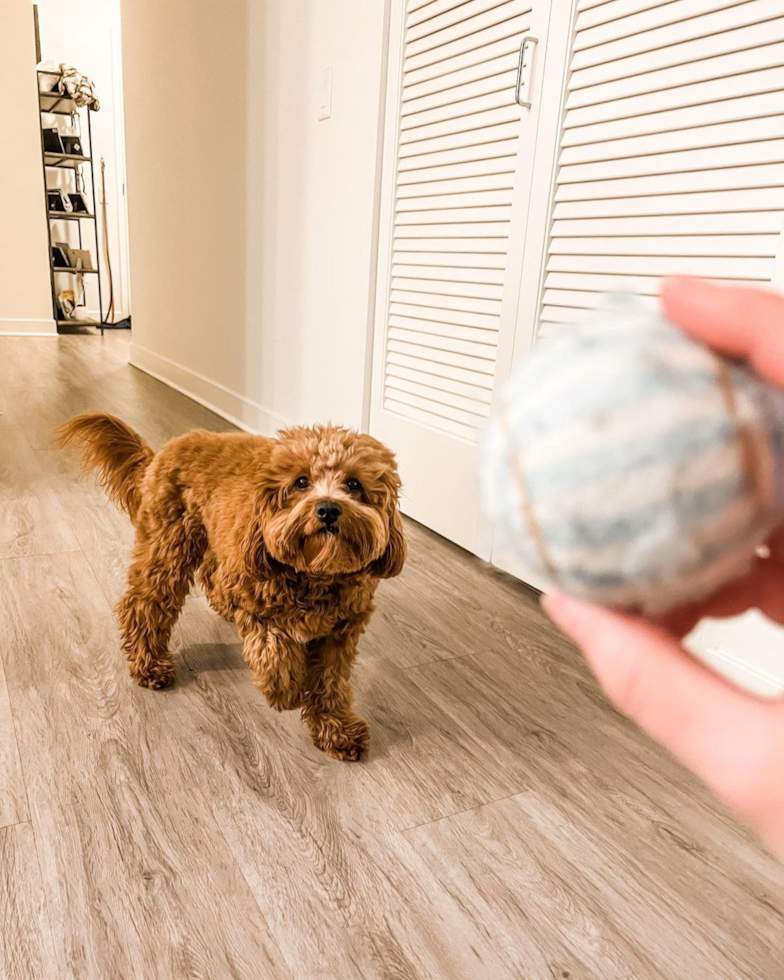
pixel 87 35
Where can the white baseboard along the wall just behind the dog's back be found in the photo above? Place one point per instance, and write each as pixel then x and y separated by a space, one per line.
pixel 230 405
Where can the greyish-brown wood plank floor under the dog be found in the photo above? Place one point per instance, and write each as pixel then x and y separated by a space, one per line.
pixel 508 824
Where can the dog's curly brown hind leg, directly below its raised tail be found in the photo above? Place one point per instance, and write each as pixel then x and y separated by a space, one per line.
pixel 164 562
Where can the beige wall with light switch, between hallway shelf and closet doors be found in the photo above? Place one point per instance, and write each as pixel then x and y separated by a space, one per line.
pixel 251 222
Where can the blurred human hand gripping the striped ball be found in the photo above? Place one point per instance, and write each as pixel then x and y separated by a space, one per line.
pixel 733 741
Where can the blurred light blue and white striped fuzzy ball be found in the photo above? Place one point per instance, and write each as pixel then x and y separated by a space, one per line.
pixel 632 466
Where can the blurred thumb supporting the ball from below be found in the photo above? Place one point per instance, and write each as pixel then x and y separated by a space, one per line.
pixel 713 728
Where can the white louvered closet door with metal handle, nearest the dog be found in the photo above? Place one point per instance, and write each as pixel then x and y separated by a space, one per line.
pixel 455 193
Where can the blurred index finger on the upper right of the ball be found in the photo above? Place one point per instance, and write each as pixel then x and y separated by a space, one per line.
pixel 739 321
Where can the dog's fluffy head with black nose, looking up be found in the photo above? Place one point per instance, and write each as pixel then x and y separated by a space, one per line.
pixel 328 505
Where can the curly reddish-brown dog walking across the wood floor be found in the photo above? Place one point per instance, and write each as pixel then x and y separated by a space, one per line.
pixel 288 536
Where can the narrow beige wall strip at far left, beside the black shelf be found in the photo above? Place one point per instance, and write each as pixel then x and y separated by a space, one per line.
pixel 25 300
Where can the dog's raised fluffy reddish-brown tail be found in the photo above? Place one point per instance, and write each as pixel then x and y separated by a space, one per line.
pixel 111 447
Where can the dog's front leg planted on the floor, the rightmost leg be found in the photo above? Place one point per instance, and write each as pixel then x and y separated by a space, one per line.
pixel 327 709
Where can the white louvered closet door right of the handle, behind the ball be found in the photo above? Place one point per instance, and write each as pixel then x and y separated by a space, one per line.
pixel 668 157
